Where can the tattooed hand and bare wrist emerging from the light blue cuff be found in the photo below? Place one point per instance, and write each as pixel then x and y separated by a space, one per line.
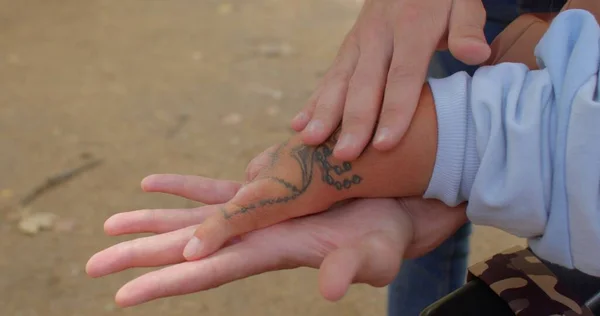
pixel 301 180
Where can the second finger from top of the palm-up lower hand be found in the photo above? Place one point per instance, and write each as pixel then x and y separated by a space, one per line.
pixel 156 221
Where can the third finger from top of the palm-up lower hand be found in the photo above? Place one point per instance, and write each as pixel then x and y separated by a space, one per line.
pixel 150 251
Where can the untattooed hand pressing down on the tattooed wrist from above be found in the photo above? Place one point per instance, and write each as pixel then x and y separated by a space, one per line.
pixel 381 66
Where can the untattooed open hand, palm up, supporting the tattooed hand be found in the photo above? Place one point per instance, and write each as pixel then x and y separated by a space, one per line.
pixel 361 241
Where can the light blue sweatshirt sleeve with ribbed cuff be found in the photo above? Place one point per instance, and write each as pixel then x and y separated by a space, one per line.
pixel 523 147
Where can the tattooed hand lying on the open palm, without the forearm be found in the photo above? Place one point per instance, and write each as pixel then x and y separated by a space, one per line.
pixel 286 181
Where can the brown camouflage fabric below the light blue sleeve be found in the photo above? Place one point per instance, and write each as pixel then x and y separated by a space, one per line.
pixel 527 285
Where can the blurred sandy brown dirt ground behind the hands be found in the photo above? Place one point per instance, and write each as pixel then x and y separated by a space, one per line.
pixel 182 86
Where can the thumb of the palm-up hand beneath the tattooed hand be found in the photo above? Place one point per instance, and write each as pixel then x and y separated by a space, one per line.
pixel 375 259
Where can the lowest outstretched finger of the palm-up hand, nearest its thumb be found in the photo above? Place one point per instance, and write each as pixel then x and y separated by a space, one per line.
pixel 233 263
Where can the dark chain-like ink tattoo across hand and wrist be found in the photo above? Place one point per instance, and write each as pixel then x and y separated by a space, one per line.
pixel 306 157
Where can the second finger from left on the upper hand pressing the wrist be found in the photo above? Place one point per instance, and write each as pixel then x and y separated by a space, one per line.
pixel 330 103
